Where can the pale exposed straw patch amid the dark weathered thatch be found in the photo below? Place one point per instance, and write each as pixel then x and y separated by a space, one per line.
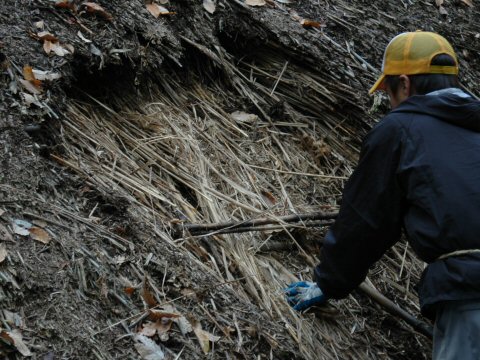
pixel 184 155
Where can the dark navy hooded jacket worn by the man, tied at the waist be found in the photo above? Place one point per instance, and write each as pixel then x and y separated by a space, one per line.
pixel 419 170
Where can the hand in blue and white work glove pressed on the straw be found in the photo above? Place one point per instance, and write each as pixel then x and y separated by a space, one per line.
pixel 304 294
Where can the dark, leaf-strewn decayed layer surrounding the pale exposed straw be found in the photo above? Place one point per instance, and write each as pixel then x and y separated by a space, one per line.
pixel 70 293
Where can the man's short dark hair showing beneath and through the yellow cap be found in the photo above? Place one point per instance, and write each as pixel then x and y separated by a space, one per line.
pixel 425 83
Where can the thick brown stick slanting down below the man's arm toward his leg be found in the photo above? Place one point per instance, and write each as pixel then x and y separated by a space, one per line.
pixel 394 309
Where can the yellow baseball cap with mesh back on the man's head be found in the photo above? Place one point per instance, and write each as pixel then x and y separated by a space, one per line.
pixel 411 53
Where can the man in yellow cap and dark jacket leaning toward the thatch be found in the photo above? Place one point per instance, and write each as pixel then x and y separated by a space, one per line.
pixel 419 170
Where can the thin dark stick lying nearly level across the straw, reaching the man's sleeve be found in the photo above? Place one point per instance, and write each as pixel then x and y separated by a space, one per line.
pixel 195 228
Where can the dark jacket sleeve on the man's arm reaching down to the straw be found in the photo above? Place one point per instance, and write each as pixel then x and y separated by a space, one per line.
pixel 370 217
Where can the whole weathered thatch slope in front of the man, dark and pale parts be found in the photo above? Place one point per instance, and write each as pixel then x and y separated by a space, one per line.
pixel 216 111
